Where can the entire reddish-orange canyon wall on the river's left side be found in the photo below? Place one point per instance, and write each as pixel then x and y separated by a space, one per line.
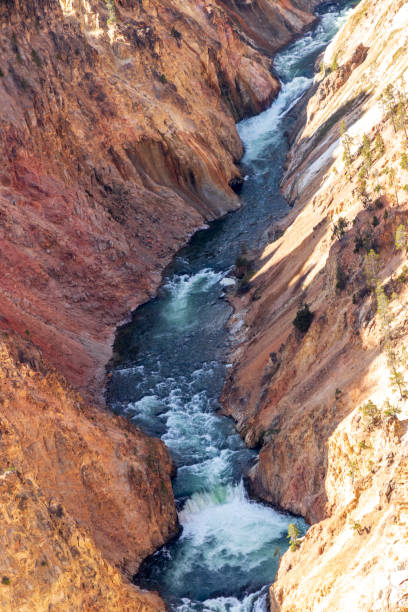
pixel 117 141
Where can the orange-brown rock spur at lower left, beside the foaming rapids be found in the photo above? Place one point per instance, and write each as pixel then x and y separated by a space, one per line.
pixel 81 491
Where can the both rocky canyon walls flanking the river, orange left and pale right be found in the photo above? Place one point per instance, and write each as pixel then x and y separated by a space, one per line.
pixel 118 142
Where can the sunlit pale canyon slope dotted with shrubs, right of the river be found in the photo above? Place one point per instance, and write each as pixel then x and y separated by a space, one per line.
pixel 328 406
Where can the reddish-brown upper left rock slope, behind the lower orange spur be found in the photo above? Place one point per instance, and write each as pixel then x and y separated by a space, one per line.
pixel 117 142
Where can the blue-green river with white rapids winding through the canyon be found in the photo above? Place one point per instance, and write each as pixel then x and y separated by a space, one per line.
pixel 173 361
